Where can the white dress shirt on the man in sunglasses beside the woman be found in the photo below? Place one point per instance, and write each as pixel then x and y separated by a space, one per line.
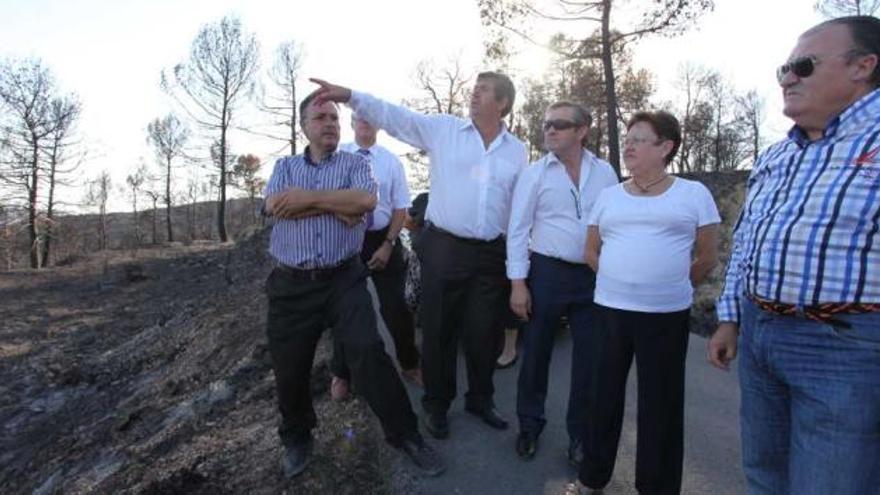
pixel 550 213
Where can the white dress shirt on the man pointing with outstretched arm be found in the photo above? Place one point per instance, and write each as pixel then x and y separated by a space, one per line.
pixel 471 185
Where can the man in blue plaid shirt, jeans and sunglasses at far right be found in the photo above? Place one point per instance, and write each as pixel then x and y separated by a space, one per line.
pixel 801 298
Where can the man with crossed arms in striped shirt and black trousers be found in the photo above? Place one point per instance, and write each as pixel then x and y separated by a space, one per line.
pixel 319 199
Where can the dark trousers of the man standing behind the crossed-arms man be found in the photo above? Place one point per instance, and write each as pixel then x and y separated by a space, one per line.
pixel 389 283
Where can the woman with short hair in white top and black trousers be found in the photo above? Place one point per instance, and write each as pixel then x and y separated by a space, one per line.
pixel 650 240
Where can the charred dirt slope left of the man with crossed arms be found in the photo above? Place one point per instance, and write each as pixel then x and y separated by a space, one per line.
pixel 152 376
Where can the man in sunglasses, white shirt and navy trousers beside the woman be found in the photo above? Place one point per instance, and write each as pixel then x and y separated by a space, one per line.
pixel 548 274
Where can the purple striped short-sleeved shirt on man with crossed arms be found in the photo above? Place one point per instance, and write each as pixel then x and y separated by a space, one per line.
pixel 320 241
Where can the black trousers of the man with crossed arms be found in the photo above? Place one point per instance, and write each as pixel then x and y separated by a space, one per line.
pixel 300 308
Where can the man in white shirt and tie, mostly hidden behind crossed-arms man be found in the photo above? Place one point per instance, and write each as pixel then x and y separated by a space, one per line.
pixel 383 255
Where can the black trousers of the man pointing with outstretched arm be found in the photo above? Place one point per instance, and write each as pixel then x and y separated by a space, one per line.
pixel 464 293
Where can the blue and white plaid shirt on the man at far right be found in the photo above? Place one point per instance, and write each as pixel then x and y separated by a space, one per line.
pixel 808 230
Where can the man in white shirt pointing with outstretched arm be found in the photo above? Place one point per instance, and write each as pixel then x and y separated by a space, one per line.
pixel 474 165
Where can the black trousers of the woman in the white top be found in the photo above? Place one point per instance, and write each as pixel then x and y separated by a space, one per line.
pixel 659 343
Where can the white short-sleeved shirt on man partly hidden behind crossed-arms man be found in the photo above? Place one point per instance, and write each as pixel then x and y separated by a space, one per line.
pixel 389 173
